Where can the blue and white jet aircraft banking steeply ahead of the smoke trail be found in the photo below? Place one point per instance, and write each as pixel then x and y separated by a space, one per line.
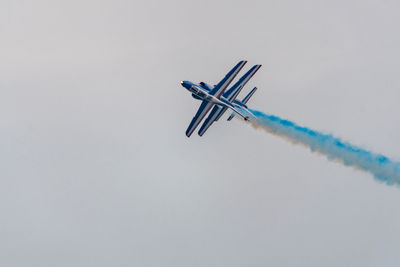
pixel 220 99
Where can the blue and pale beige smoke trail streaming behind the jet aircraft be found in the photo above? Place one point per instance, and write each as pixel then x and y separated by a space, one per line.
pixel 382 168
